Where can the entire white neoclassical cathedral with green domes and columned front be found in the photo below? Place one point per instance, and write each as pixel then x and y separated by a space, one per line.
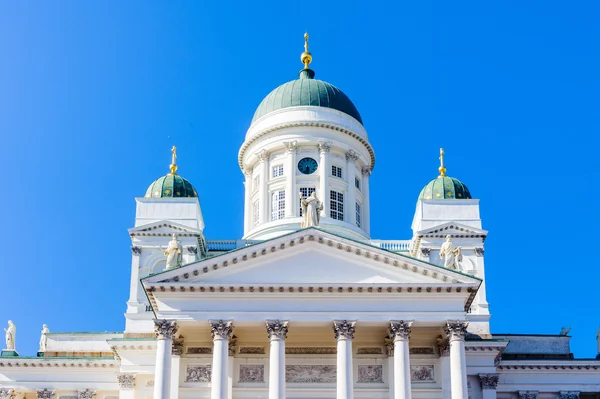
pixel 306 304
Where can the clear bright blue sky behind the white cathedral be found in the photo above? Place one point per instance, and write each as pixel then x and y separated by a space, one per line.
pixel 94 94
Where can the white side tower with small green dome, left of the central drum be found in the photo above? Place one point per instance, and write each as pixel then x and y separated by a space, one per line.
pixel 170 211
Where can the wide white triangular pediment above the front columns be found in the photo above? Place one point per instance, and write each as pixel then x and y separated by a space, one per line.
pixel 312 257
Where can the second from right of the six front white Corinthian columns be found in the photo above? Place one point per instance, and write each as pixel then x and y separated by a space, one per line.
pixel 400 333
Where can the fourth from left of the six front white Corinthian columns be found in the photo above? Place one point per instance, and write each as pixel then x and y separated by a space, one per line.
pixel 344 334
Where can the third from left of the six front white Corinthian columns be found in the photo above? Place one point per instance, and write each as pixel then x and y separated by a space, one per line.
pixel 277 331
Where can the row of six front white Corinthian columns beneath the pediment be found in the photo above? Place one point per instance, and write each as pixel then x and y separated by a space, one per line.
pixel 399 331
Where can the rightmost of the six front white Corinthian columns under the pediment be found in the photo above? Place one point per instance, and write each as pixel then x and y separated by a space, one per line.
pixel 456 330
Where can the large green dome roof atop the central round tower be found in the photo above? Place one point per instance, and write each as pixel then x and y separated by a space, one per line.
pixel 307 91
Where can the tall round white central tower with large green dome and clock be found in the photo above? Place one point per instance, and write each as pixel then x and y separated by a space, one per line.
pixel 306 136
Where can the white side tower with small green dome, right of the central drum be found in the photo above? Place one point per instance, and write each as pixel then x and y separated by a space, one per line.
pixel 447 220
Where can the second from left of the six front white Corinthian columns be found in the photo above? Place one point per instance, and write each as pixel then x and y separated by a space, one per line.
pixel 221 332
